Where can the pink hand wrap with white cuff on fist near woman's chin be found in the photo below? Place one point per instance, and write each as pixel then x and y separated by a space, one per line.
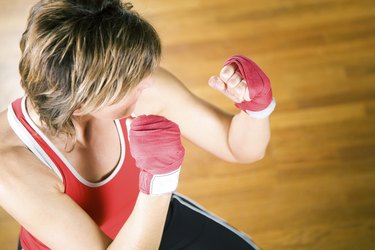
pixel 155 144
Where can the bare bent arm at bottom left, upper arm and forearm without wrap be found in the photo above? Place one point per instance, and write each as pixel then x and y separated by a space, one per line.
pixel 33 195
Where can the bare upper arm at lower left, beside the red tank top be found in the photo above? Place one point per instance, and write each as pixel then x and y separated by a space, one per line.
pixel 33 195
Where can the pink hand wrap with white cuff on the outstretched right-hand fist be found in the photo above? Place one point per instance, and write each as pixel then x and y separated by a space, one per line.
pixel 262 103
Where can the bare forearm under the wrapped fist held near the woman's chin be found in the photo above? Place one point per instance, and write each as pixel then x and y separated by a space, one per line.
pixel 144 228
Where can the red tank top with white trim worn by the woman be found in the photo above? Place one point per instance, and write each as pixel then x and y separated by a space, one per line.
pixel 109 203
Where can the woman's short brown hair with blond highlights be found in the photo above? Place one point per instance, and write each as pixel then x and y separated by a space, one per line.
pixel 83 54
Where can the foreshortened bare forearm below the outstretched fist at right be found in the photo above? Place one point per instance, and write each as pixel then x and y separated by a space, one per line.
pixel 248 138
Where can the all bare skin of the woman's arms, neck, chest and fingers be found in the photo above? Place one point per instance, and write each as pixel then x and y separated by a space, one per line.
pixel 25 180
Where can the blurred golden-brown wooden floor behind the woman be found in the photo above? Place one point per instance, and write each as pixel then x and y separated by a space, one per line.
pixel 316 187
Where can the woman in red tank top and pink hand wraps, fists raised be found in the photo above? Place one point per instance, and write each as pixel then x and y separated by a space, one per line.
pixel 82 167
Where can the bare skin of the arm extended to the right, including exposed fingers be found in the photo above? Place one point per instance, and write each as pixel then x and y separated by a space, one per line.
pixel 235 138
